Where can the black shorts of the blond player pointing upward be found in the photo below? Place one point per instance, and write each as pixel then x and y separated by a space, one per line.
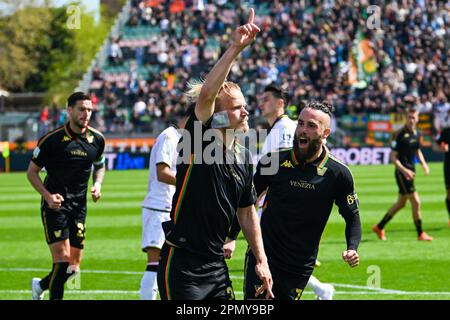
pixel 185 276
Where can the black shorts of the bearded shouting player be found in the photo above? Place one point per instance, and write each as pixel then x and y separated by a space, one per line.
pixel 285 286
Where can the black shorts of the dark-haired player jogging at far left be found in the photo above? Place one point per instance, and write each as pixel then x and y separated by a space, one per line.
pixel 69 222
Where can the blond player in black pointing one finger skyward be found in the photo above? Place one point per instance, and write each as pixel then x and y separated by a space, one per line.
pixel 208 193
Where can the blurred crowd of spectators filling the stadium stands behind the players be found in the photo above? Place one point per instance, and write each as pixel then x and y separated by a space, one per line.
pixel 304 47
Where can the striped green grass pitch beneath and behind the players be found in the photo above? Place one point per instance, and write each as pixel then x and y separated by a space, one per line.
pixel 399 268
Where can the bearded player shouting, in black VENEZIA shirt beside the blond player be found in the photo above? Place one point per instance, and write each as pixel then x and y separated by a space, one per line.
pixel 299 200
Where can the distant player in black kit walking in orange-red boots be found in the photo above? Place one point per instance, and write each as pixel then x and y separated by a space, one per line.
pixel 405 146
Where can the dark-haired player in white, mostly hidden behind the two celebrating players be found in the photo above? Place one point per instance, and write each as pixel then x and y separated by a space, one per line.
pixel 281 136
